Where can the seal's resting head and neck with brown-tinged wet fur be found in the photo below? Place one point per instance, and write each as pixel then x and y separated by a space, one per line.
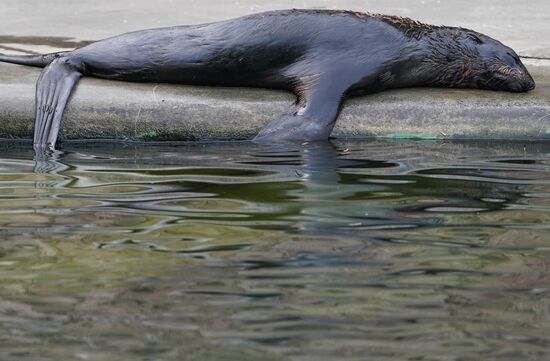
pixel 473 60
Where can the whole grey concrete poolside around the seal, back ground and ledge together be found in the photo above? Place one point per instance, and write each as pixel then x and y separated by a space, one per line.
pixel 108 109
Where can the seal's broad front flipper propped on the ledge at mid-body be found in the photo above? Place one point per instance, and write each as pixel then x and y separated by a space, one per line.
pixel 311 118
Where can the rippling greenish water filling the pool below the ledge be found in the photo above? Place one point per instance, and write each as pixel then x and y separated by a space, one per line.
pixel 342 251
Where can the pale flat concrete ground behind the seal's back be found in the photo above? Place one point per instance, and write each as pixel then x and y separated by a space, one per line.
pixel 521 25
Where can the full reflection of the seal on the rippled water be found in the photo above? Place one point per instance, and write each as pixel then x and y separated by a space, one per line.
pixel 320 187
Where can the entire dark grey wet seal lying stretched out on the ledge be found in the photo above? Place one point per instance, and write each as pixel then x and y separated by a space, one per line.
pixel 322 56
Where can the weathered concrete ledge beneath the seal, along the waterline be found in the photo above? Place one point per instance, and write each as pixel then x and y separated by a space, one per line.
pixel 117 110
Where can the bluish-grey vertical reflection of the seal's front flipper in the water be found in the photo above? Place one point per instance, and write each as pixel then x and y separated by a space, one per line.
pixel 320 201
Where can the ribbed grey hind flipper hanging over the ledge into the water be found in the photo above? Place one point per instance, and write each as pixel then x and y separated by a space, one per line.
pixel 53 89
